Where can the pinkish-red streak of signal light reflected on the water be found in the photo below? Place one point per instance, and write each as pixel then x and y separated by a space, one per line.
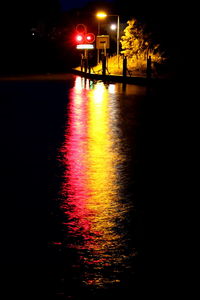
pixel 74 187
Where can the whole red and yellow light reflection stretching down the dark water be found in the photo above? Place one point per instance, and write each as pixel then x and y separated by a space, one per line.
pixel 91 192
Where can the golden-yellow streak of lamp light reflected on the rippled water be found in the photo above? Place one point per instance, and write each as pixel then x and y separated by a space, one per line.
pixel 102 159
